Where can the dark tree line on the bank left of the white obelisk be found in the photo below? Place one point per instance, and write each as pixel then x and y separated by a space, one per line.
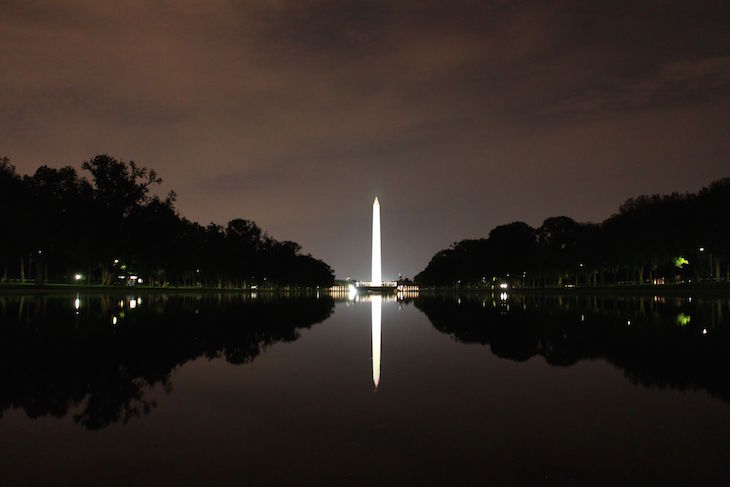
pixel 110 228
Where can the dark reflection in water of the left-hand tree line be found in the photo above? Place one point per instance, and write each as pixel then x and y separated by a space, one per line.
pixel 102 354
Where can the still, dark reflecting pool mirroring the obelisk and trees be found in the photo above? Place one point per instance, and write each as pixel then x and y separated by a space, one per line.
pixel 210 389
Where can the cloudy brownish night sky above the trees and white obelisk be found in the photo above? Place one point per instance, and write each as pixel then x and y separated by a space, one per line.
pixel 459 116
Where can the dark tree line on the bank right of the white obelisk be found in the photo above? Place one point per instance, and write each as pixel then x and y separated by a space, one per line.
pixel 680 237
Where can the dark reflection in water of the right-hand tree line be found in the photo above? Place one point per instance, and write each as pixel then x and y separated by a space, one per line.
pixel 657 341
